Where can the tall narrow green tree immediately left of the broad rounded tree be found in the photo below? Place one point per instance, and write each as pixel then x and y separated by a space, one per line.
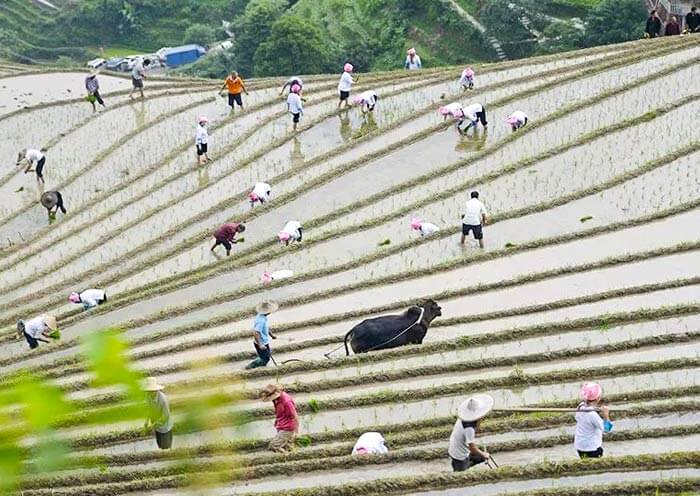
pixel 253 28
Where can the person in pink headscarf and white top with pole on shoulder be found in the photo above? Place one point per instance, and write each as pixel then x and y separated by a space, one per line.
pixel 591 422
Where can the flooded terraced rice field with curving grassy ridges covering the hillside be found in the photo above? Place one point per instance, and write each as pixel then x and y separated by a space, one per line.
pixel 590 272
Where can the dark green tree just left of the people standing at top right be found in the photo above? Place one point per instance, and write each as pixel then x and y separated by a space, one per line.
pixel 614 21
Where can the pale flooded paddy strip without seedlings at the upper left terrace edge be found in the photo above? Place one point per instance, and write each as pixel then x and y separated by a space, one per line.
pixel 22 91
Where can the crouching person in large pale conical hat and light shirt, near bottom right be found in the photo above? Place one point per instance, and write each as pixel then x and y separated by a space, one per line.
pixel 463 451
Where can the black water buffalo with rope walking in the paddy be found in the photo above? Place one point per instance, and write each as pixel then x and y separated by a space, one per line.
pixel 390 331
